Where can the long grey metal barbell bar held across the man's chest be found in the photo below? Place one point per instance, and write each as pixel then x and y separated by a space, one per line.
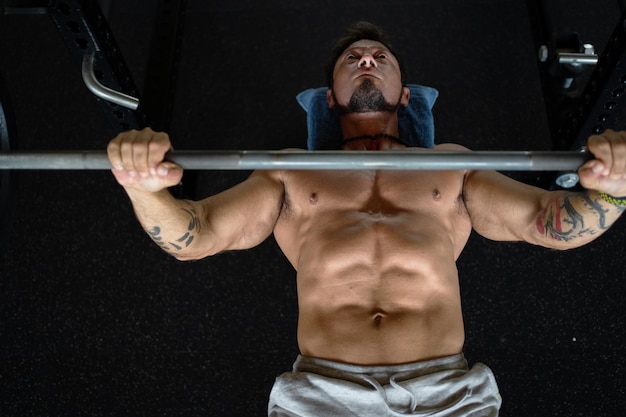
pixel 312 160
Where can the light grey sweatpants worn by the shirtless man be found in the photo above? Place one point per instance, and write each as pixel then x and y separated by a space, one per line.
pixel 439 387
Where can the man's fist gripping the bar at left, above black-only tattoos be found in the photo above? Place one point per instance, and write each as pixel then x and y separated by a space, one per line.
pixel 137 158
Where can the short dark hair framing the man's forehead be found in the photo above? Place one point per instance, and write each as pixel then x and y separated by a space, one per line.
pixel 356 32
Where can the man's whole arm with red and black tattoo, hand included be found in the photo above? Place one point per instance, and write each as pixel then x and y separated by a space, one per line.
pixel 504 209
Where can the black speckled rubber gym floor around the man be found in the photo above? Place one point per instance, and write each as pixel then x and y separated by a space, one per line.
pixel 95 320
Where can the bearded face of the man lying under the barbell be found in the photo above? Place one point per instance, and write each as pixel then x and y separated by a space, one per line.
pixel 367 78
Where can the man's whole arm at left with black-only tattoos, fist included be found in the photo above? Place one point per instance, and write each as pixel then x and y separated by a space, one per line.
pixel 238 218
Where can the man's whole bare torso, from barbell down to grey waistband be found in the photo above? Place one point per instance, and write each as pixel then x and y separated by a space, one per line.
pixel 375 255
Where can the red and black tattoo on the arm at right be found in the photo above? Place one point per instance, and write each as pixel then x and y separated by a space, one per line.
pixel 561 220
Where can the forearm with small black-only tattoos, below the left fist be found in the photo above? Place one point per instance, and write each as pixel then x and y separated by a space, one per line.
pixel 174 225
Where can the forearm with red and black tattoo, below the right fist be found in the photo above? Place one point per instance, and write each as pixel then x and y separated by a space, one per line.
pixel 569 220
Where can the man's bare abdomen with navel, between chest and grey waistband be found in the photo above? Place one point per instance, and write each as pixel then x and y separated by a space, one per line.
pixel 374 290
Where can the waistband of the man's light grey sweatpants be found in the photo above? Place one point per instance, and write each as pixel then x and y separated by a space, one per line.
pixel 334 369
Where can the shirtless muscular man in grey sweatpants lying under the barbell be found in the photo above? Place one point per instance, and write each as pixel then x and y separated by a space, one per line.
pixel 380 328
